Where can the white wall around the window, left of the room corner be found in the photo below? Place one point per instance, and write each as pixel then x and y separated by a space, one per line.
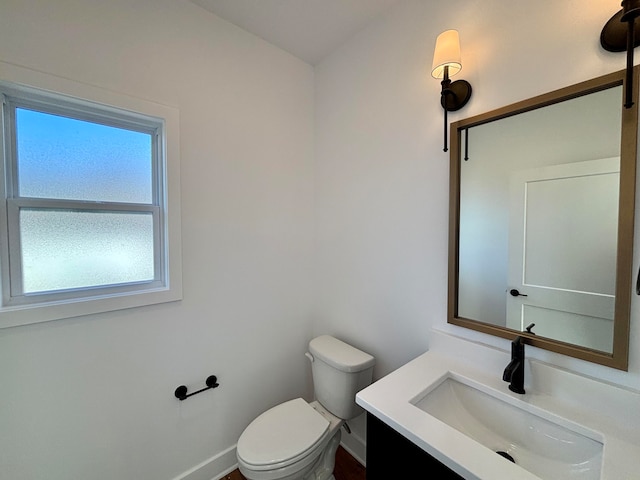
pixel 92 397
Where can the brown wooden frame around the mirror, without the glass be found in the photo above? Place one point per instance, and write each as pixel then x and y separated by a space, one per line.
pixel 618 358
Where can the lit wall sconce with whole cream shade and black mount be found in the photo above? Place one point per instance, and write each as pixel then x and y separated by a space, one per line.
pixel 446 63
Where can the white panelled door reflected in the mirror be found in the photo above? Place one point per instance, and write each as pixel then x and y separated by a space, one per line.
pixel 562 251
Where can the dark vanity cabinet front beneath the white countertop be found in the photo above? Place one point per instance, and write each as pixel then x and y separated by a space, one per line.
pixel 390 455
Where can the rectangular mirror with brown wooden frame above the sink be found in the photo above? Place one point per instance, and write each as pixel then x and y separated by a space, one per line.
pixel 541 220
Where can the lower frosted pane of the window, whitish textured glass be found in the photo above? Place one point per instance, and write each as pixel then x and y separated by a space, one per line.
pixel 66 249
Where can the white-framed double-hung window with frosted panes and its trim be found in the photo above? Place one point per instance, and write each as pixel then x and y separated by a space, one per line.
pixel 84 217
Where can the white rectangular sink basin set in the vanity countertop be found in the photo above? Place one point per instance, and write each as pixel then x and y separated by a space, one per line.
pixel 547 446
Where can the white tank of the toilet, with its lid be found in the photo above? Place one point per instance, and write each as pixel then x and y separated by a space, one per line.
pixel 339 372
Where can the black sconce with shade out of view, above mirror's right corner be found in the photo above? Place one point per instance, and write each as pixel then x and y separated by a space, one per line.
pixel 622 33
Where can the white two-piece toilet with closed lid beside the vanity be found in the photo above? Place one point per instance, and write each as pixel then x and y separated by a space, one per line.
pixel 297 440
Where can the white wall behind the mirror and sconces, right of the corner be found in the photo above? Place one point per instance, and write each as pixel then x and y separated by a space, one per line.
pixel 382 177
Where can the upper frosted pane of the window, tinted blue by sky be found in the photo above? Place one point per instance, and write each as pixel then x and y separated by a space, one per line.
pixel 65 158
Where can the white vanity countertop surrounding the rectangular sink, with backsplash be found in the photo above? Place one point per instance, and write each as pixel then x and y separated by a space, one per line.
pixel 613 413
